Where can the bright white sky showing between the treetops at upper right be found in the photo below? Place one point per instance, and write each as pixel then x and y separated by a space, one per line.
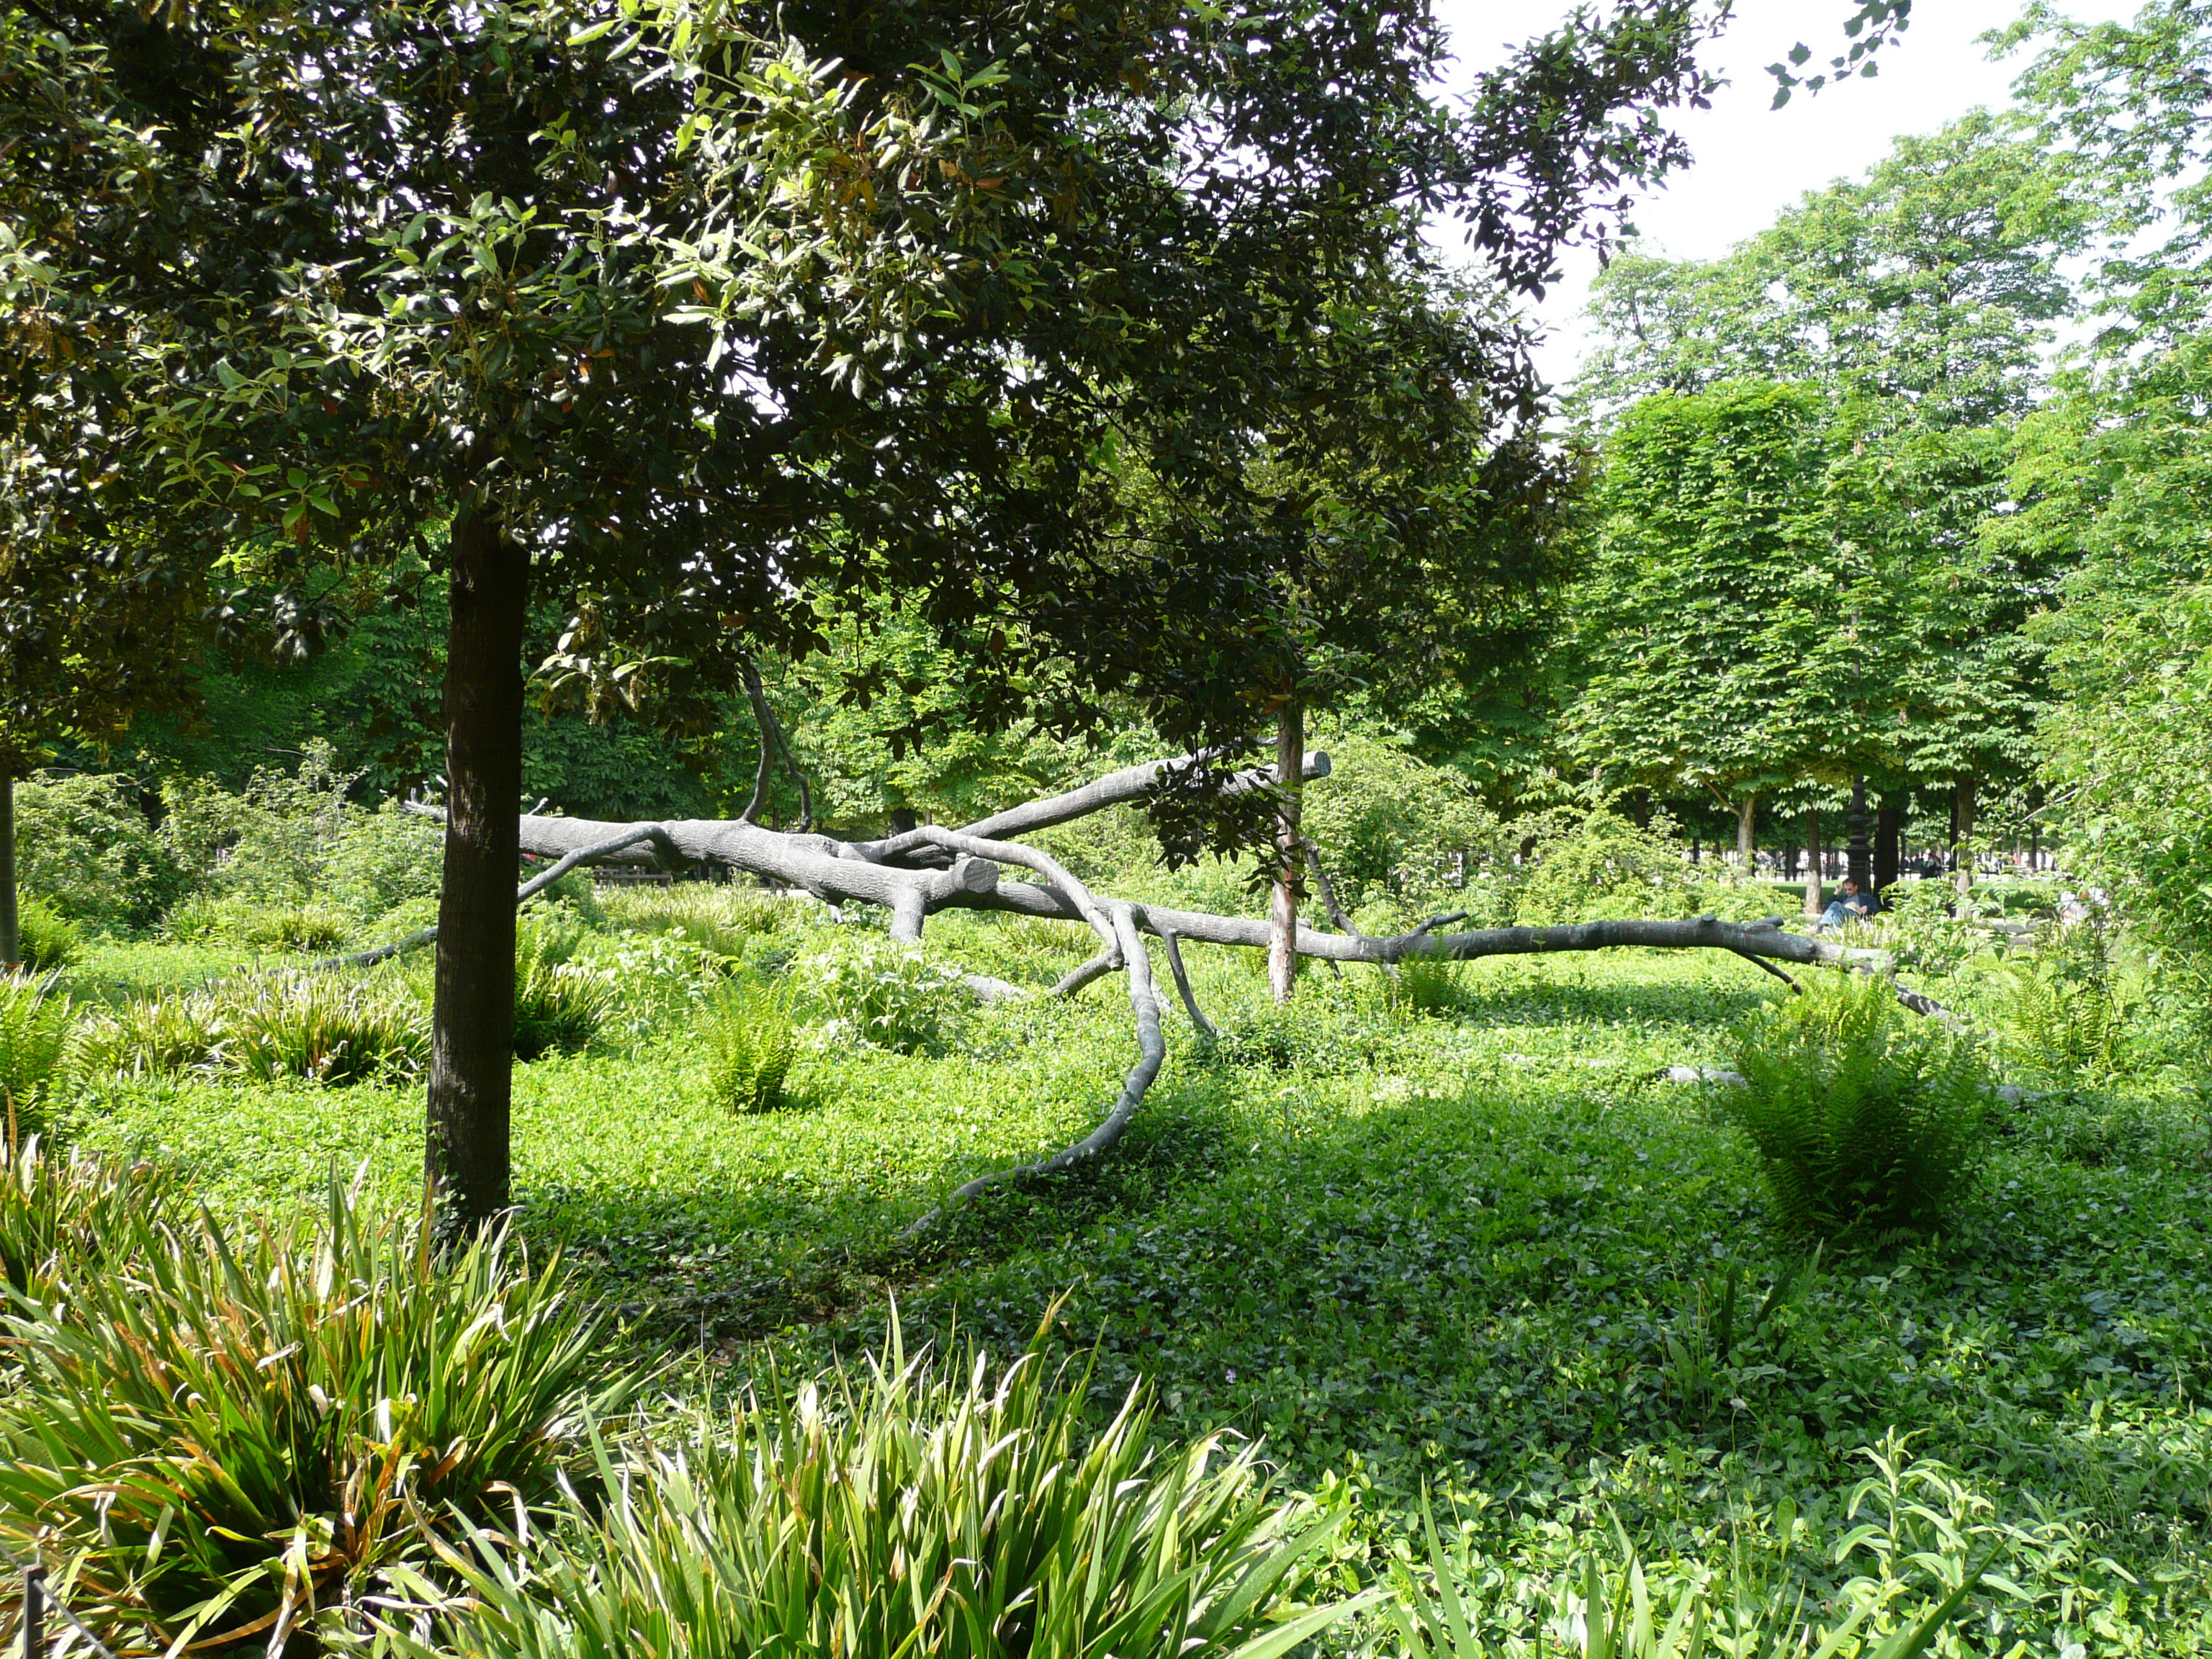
pixel 1755 160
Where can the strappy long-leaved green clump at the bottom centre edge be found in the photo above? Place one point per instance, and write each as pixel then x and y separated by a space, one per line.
pixel 924 1512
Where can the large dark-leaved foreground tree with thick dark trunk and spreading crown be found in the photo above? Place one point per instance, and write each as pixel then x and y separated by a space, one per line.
pixel 640 302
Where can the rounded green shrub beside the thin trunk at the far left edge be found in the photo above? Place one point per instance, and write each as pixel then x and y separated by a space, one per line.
pixel 85 846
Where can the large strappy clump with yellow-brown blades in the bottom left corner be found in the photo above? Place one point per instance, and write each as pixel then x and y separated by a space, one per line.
pixel 233 1437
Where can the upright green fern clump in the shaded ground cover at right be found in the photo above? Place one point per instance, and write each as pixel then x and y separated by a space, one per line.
pixel 1868 1120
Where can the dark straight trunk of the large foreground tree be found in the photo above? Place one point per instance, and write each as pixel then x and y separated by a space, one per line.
pixel 474 1003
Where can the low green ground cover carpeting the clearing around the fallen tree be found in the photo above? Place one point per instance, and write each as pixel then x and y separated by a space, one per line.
pixel 1483 1253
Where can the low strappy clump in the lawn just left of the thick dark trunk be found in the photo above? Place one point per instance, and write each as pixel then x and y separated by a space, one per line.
pixel 322 1027
